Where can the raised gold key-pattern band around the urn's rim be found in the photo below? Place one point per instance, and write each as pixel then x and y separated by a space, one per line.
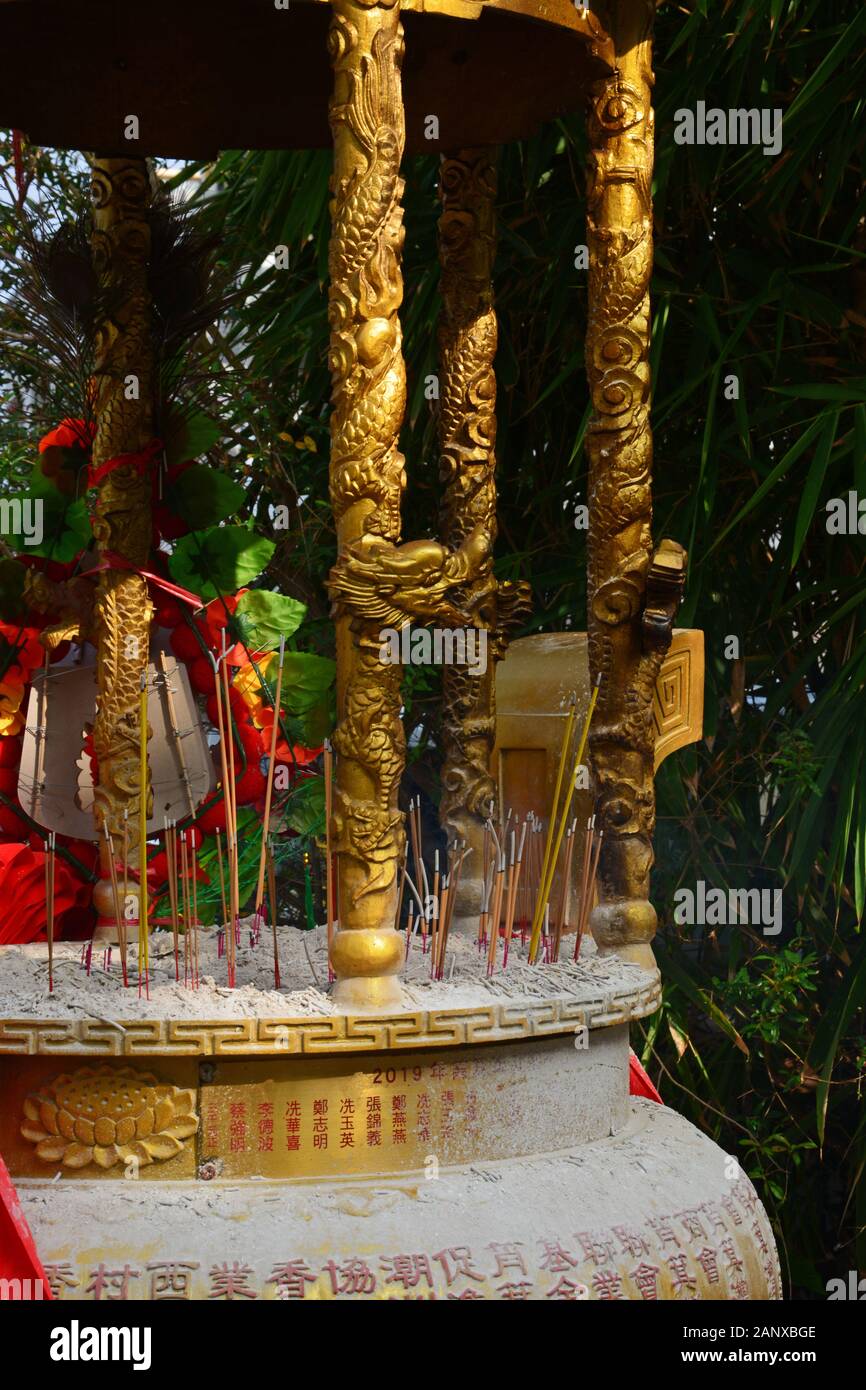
pixel 327 1033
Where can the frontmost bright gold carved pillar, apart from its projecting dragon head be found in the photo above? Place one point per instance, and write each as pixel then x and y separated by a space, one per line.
pixel 368 480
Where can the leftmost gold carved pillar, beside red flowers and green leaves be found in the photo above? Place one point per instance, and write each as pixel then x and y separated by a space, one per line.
pixel 124 391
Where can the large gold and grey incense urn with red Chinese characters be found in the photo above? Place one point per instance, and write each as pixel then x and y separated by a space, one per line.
pixel 484 1152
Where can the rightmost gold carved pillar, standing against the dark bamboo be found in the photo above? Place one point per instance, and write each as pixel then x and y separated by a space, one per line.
pixel 633 591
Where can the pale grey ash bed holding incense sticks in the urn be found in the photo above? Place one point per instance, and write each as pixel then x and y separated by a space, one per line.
pixel 304 970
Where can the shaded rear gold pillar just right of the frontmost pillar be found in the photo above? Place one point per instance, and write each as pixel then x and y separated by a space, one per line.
pixel 468 469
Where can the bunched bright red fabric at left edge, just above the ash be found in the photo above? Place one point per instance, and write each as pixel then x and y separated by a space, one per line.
pixel 23 907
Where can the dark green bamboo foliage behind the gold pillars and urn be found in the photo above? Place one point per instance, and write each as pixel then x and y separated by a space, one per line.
pixel 761 275
